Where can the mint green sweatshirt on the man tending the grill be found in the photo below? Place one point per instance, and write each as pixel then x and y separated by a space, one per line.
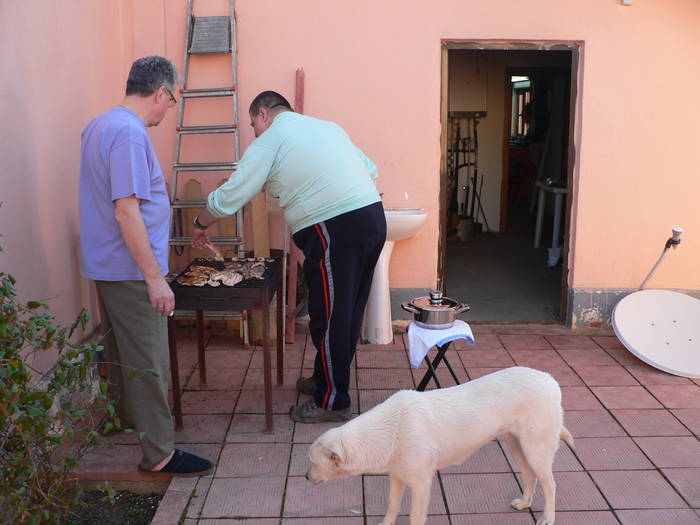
pixel 311 165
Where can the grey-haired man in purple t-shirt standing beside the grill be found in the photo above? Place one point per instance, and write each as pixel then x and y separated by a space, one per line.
pixel 124 225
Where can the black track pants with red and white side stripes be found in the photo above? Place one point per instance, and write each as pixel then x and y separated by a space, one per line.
pixel 340 256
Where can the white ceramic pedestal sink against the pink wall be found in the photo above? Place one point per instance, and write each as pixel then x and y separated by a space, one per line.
pixel 401 223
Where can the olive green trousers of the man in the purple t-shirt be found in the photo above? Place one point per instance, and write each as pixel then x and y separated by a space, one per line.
pixel 136 350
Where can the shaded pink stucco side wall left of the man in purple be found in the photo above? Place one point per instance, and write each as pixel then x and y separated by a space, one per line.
pixel 61 67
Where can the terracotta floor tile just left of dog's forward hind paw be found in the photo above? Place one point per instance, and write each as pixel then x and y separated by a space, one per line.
pixel 479 493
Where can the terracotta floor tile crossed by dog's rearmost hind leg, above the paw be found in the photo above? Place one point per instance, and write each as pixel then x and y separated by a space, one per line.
pixel 575 491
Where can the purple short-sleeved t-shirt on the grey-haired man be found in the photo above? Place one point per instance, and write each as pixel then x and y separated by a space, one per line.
pixel 117 161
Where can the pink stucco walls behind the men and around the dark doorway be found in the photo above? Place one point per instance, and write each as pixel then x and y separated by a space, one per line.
pixel 374 67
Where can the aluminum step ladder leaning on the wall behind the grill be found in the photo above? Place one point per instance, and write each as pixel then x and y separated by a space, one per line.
pixel 205 35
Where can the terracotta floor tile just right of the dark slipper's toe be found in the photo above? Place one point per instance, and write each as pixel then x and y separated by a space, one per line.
pixel 258 460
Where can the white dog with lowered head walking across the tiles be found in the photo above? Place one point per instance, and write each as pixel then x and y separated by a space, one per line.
pixel 413 434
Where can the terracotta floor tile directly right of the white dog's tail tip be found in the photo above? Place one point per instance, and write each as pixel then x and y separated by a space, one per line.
pixel 611 453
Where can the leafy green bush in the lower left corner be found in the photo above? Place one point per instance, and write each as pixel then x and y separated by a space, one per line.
pixel 47 422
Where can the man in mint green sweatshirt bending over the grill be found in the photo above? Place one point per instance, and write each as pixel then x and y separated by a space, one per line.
pixel 326 187
